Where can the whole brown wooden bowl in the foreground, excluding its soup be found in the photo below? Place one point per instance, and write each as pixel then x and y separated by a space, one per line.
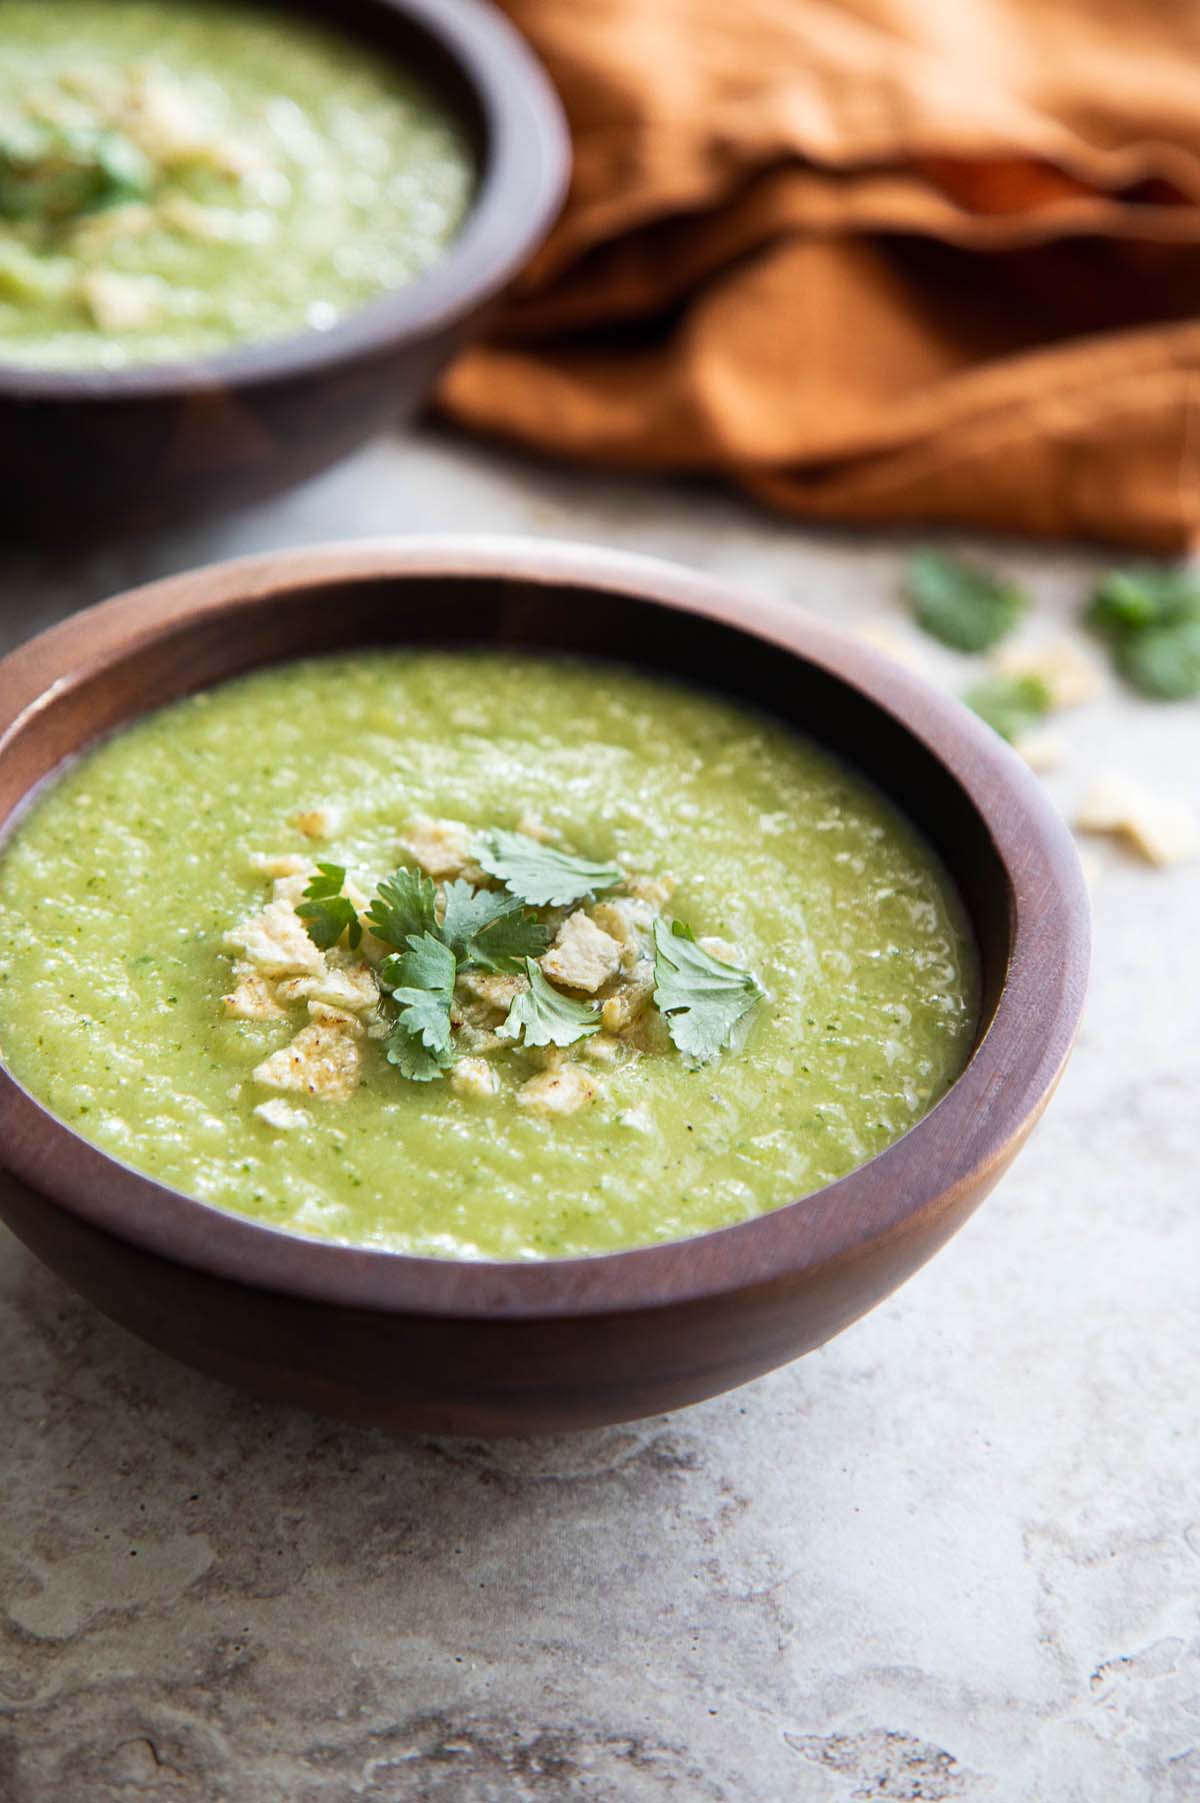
pixel 462 1348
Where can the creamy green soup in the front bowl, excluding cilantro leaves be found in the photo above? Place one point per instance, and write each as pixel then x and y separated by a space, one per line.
pixel 143 886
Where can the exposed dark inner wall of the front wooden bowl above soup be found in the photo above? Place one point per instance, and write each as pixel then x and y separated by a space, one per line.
pixel 556 618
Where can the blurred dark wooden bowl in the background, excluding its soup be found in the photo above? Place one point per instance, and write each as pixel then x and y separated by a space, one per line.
pixel 100 452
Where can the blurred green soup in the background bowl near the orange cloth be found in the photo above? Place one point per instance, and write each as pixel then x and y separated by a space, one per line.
pixel 177 178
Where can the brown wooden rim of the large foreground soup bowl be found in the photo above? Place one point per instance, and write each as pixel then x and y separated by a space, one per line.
pixel 949 1155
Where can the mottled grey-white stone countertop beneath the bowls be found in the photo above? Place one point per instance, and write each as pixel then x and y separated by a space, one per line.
pixel 956 1555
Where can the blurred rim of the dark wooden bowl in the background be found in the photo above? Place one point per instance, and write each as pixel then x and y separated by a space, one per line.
pixel 522 188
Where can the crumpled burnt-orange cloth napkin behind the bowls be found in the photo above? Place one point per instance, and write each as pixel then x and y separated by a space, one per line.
pixel 886 261
